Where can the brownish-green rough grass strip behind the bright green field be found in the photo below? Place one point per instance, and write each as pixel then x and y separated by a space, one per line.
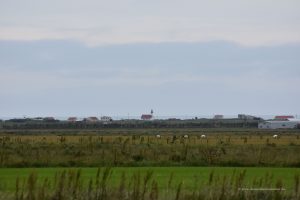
pixel 147 150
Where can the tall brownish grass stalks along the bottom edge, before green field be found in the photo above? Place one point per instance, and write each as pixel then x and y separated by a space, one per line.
pixel 69 185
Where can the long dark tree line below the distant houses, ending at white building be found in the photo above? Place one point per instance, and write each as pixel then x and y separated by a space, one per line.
pixel 129 124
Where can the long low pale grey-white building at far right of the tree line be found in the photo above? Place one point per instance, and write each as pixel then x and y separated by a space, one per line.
pixel 278 125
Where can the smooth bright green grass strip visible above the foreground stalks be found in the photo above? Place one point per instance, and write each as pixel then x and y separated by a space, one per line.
pixel 190 176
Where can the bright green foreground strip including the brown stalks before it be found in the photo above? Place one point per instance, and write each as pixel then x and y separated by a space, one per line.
pixel 149 183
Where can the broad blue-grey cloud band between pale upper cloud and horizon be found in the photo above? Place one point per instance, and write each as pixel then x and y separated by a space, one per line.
pixel 60 77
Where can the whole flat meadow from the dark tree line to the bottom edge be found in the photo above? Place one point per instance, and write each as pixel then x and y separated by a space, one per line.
pixel 150 164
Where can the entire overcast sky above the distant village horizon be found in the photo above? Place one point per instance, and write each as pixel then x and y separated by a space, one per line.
pixel 126 57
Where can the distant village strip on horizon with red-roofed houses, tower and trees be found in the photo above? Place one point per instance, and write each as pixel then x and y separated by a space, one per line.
pixel 217 121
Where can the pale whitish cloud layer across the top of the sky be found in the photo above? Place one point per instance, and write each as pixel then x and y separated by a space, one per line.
pixel 251 23
